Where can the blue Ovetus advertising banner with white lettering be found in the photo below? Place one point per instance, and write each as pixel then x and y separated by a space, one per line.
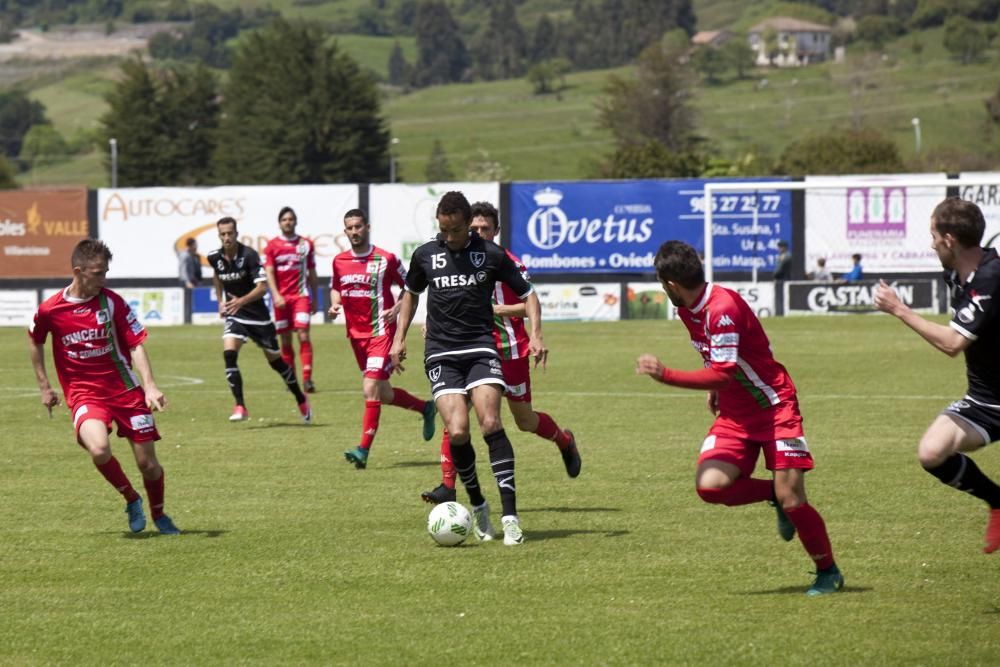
pixel 617 227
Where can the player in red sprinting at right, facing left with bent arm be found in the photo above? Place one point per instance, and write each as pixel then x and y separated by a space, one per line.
pixel 755 404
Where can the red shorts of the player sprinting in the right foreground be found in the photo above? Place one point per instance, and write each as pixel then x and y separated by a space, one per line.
pixel 782 441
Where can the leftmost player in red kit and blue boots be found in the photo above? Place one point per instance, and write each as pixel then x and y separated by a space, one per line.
pixel 97 347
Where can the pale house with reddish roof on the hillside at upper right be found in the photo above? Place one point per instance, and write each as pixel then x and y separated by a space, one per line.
pixel 786 42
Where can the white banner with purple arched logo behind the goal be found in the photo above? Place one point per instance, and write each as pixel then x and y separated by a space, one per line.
pixel 886 221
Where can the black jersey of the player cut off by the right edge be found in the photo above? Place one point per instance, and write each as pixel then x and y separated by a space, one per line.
pixel 977 317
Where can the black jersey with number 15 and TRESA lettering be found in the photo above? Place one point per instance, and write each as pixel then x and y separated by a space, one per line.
pixel 460 287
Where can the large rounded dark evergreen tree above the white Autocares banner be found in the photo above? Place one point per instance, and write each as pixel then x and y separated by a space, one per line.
pixel 298 110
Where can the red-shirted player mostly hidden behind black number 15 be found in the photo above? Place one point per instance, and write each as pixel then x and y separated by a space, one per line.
pixel 512 342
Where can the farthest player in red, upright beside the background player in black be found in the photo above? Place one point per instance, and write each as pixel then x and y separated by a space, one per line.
pixel 290 263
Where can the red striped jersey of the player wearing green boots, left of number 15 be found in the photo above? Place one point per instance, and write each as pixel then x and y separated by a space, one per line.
pixel 365 285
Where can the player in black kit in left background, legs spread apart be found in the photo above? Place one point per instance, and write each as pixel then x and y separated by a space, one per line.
pixel 240 284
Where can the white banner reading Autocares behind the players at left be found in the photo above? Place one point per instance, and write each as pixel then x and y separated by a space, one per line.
pixel 146 227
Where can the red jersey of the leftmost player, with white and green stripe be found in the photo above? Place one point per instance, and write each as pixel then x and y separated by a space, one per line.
pixel 92 341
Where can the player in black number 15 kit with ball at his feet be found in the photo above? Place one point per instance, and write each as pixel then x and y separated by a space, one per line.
pixel 459 272
